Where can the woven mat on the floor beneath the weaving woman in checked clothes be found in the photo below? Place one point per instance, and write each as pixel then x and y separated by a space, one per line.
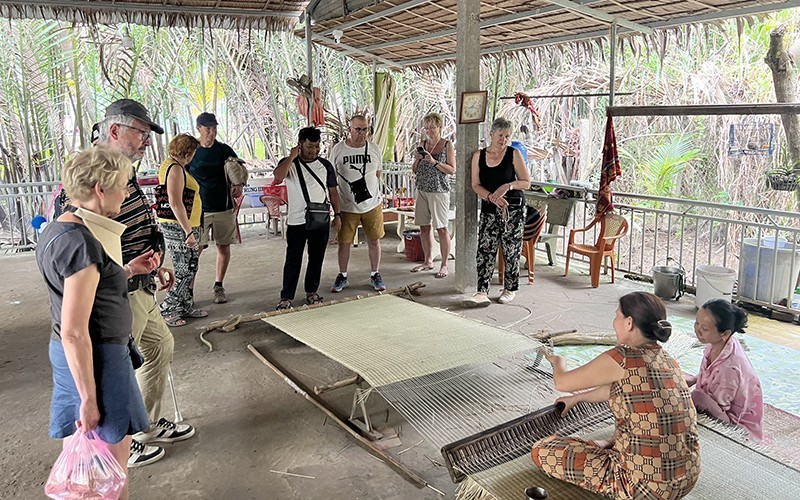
pixel 729 470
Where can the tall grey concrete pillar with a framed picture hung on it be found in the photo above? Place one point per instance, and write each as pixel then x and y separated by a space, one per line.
pixel 468 78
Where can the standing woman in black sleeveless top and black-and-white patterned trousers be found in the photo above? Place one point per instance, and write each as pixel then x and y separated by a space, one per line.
pixel 499 175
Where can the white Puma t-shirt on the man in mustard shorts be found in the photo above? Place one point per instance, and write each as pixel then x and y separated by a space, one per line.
pixel 351 165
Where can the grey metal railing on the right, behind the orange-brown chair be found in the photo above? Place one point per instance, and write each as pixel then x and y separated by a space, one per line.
pixel 762 246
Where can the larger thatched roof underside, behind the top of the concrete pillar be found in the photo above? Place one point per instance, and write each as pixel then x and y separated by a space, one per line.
pixel 419 33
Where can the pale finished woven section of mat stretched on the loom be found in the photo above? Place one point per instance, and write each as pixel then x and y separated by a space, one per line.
pixel 387 339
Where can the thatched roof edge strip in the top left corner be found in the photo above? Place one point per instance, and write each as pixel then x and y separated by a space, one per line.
pixel 243 14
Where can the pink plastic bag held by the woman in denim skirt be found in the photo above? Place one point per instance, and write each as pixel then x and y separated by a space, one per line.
pixel 85 469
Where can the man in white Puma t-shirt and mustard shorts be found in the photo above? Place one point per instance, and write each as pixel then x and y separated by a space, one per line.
pixel 358 162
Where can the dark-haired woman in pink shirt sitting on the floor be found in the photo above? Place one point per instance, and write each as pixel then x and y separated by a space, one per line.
pixel 727 387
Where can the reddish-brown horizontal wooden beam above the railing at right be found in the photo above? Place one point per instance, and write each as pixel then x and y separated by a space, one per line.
pixel 706 110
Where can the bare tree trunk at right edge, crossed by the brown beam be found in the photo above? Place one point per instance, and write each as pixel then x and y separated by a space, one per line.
pixel 781 62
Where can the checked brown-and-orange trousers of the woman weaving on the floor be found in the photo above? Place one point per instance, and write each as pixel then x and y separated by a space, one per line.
pixel 601 470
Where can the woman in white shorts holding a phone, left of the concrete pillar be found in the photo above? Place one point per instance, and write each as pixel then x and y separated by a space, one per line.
pixel 432 206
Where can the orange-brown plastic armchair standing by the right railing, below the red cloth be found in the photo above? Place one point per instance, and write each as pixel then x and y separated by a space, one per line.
pixel 612 228
